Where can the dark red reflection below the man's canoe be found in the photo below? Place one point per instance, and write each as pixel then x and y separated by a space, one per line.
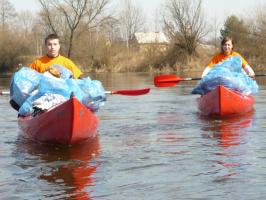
pixel 71 168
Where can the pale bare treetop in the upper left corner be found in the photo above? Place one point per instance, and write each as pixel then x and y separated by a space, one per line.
pixel 7 12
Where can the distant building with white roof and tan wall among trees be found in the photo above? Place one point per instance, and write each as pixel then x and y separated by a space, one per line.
pixel 148 40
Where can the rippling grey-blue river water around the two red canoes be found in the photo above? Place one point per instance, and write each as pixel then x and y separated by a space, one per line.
pixel 156 146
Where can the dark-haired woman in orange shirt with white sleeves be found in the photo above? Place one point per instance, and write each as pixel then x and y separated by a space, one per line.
pixel 227 46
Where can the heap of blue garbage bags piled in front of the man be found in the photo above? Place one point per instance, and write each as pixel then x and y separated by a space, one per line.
pixel 28 85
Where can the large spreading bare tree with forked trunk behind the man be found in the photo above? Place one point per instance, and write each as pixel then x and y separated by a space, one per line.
pixel 67 17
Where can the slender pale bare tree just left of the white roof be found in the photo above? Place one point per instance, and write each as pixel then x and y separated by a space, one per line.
pixel 131 20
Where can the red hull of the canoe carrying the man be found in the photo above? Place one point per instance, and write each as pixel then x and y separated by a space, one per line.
pixel 68 123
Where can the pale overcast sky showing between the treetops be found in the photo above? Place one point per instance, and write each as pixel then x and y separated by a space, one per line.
pixel 215 9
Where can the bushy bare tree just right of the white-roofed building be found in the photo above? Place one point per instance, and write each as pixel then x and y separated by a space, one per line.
pixel 185 24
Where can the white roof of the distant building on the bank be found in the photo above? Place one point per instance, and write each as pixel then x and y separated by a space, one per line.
pixel 151 37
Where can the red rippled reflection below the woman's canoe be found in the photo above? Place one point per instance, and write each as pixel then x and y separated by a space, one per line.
pixel 231 135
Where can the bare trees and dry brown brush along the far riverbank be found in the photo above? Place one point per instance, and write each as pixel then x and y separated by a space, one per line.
pixel 100 38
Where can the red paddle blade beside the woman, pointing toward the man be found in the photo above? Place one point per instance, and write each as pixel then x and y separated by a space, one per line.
pixel 166 80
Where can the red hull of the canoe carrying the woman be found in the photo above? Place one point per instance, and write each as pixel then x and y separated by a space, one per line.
pixel 223 102
